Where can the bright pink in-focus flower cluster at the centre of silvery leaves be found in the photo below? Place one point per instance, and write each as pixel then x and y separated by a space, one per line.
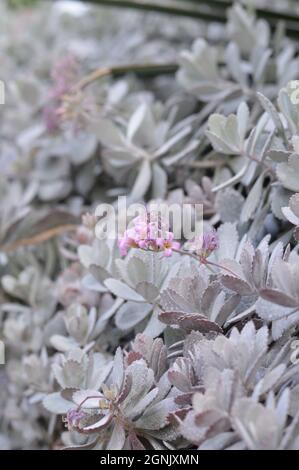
pixel 148 233
